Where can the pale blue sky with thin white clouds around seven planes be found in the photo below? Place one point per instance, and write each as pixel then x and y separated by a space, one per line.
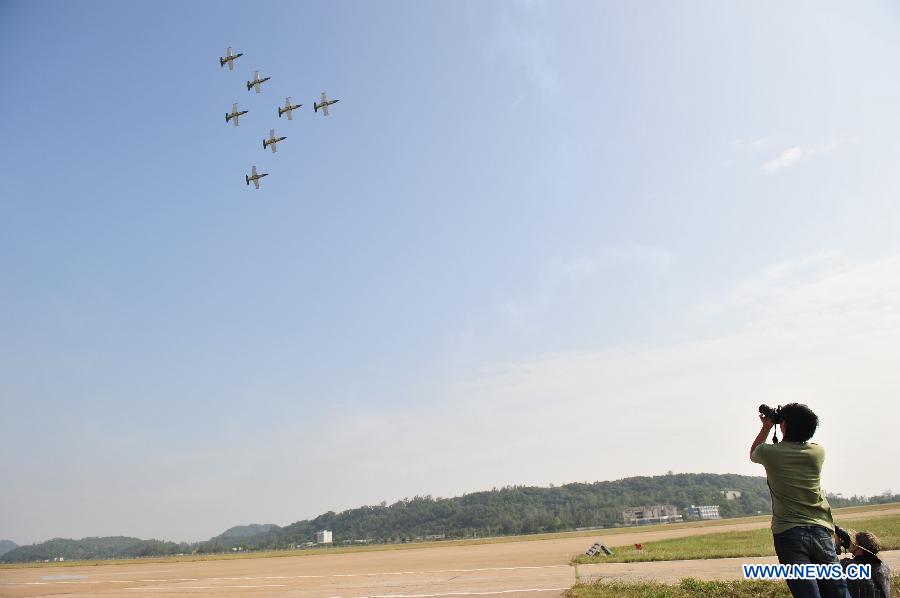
pixel 535 242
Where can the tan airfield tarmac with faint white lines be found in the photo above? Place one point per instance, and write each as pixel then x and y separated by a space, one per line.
pixel 517 569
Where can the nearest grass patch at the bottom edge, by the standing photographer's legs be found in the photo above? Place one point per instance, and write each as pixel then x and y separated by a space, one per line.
pixel 692 588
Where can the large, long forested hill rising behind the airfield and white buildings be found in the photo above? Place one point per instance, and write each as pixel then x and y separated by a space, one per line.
pixel 515 510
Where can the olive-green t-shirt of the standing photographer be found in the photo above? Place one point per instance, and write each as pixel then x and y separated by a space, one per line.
pixel 794 470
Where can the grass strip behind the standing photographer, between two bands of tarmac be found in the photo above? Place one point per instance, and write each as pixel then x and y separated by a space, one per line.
pixel 734 544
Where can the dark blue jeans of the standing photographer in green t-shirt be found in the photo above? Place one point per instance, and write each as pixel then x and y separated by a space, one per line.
pixel 810 544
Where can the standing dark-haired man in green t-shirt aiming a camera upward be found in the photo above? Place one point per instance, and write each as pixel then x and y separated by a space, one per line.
pixel 802 527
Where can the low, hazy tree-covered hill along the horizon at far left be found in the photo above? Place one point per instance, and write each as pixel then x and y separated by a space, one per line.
pixel 94 548
